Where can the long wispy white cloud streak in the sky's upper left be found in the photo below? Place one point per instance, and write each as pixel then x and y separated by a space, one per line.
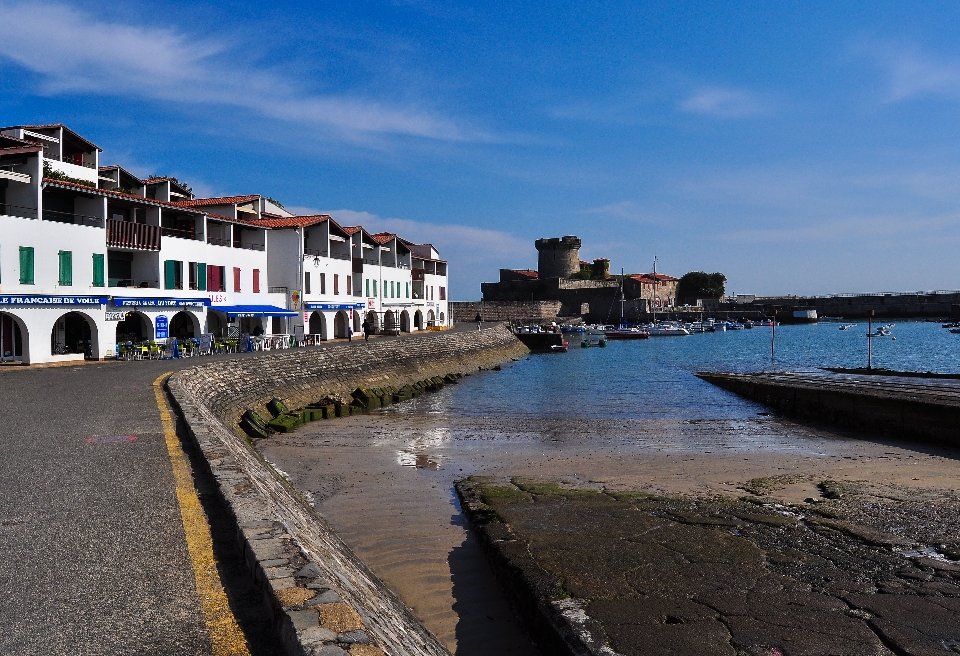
pixel 75 52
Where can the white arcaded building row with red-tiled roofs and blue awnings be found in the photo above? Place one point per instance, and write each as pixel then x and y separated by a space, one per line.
pixel 92 257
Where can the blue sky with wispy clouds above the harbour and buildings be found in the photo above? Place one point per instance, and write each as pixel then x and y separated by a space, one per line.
pixel 797 147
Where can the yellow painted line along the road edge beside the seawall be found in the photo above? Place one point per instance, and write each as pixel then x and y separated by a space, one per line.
pixel 226 637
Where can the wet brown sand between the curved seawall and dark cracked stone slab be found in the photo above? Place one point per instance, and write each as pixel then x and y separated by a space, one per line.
pixel 384 482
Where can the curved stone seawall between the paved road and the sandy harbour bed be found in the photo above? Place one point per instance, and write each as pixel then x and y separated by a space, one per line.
pixel 325 600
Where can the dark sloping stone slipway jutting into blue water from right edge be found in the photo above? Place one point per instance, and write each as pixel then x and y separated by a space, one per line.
pixel 905 407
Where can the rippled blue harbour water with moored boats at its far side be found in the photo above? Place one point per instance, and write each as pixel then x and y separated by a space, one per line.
pixel 654 378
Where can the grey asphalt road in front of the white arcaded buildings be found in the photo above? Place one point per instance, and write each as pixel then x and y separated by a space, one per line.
pixel 95 559
